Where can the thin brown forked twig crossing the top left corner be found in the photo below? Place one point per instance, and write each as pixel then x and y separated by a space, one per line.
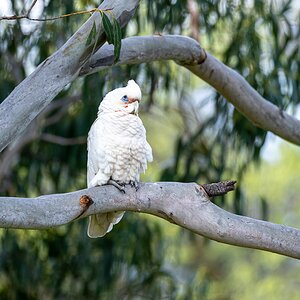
pixel 26 16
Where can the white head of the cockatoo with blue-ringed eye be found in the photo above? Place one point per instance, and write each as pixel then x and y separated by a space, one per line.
pixel 125 99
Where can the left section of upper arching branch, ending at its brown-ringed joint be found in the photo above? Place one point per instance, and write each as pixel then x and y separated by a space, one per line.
pixel 138 49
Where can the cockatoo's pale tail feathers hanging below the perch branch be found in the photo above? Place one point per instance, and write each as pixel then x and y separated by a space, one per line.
pixel 100 224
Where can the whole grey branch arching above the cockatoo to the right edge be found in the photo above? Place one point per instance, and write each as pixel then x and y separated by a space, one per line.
pixel 227 82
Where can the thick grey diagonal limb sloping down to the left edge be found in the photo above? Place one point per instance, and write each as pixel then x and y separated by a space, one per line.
pixel 34 93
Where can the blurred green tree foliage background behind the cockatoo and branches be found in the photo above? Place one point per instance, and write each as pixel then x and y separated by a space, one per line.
pixel 196 136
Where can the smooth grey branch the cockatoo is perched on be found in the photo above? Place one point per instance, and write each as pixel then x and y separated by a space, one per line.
pixel 184 204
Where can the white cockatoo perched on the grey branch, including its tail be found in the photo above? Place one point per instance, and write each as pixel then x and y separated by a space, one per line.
pixel 117 149
